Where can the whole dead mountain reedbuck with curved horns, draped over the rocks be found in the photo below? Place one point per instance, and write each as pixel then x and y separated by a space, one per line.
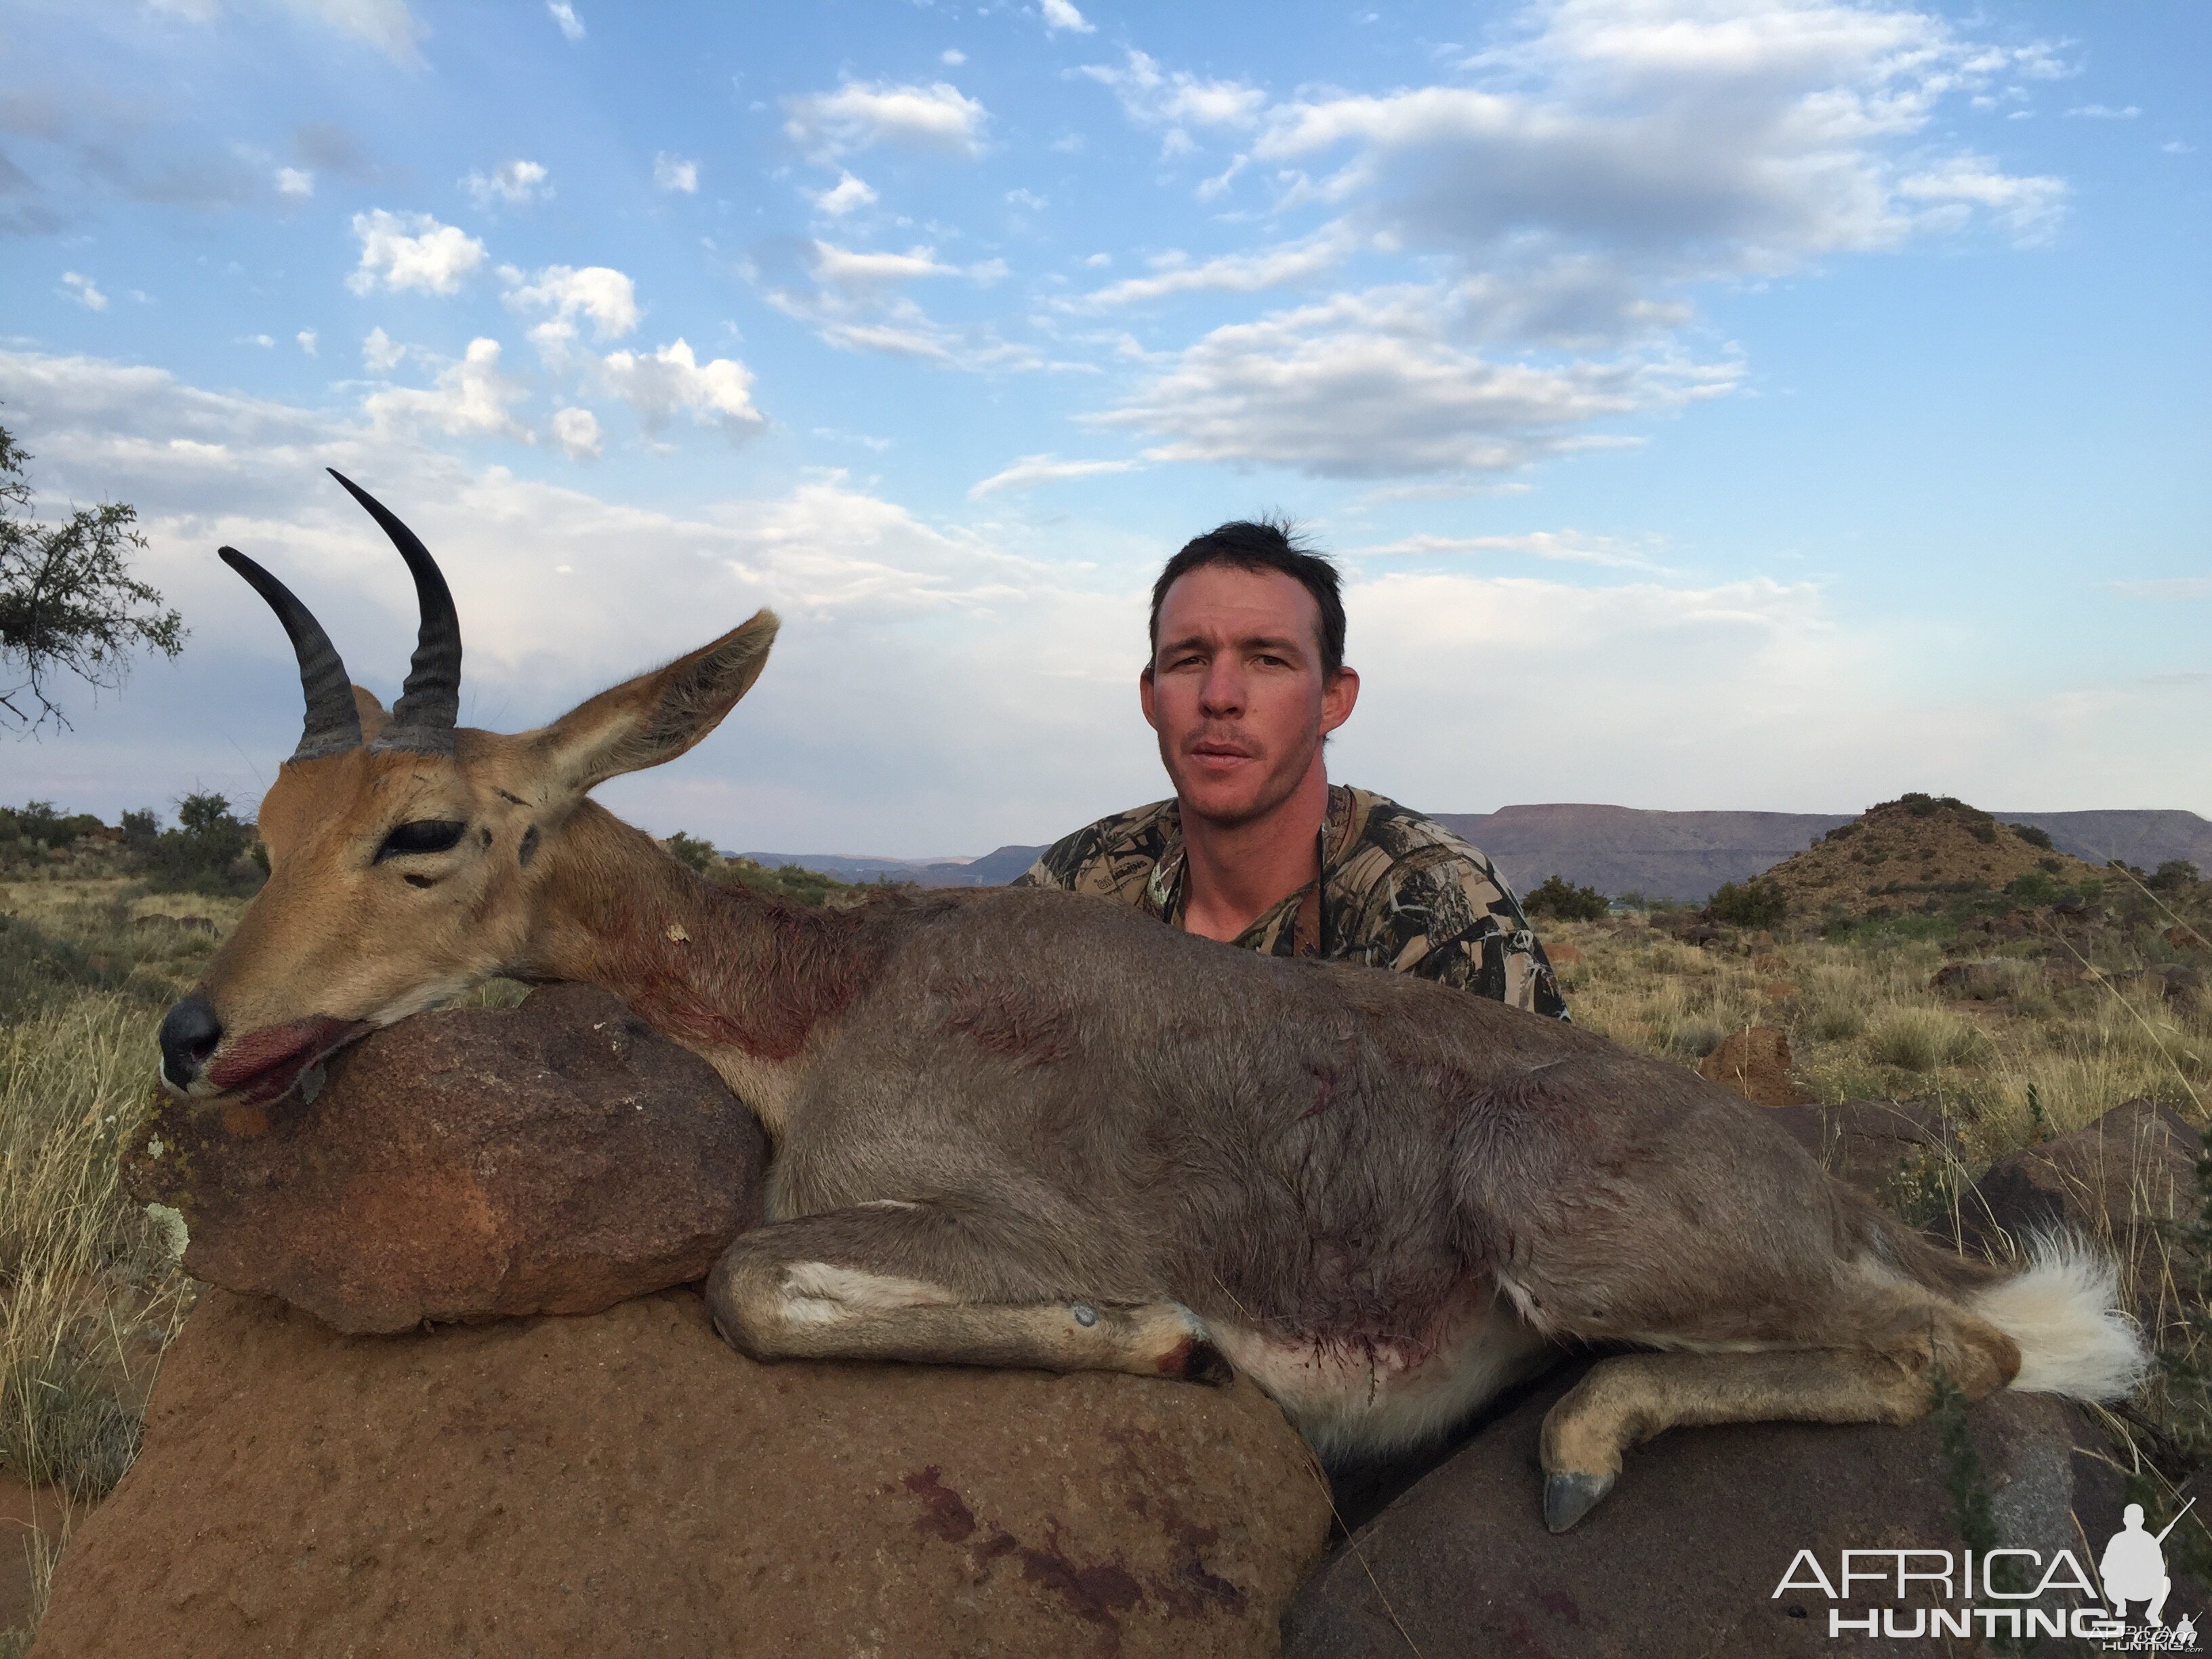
pixel 1021 1127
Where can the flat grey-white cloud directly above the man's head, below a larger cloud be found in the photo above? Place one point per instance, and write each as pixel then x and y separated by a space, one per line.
pixel 1373 386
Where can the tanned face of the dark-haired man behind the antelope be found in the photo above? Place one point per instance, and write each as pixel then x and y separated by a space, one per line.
pixel 1235 691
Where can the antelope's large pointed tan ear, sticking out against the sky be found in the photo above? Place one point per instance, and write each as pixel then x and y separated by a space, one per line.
pixel 660 716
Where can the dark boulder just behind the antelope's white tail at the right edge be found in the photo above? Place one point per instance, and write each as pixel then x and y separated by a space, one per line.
pixel 2114 1180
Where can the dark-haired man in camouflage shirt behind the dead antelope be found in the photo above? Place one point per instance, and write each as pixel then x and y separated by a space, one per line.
pixel 1258 848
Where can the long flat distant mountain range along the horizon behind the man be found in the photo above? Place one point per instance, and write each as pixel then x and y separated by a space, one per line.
pixel 1627 851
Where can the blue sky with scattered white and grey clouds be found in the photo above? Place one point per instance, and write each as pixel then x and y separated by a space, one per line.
pixel 1713 406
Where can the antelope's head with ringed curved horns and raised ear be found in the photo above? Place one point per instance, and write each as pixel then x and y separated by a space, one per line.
pixel 410 855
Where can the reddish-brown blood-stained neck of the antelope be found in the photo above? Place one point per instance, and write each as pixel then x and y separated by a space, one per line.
pixel 735 977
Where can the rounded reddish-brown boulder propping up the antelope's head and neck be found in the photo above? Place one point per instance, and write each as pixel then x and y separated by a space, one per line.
pixel 472 1165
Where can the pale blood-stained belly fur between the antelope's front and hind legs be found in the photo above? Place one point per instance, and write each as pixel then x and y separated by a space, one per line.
pixel 1370 1397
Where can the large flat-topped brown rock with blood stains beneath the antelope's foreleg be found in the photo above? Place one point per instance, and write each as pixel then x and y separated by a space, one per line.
pixel 627 1485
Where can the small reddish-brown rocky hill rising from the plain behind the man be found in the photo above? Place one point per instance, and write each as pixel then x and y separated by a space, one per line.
pixel 1921 855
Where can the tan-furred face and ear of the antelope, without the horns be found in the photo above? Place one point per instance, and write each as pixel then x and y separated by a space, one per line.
pixel 377 910
